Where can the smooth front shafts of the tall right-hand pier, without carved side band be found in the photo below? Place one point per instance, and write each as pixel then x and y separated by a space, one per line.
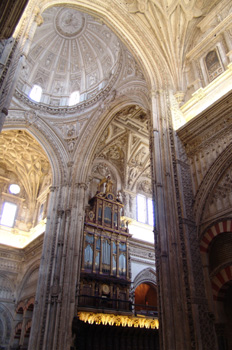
pixel 174 325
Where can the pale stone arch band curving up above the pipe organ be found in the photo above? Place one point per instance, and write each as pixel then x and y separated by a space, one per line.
pixel 97 124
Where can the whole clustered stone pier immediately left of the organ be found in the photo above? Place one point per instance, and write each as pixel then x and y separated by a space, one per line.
pixel 59 270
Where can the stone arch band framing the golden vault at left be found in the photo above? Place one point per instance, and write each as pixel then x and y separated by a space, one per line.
pixel 50 143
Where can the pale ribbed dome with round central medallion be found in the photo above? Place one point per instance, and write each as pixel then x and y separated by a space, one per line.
pixel 71 51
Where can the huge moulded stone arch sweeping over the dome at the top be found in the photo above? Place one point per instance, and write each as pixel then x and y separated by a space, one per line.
pixel 124 26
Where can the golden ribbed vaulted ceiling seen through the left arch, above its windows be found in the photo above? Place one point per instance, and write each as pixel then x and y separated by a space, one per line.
pixel 24 162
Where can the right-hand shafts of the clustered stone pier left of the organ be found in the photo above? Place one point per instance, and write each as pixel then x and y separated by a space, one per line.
pixel 71 267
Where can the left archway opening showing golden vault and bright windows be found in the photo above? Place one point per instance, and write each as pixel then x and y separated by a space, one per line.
pixel 25 167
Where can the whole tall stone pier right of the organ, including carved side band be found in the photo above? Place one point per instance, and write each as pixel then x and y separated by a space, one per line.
pixel 183 312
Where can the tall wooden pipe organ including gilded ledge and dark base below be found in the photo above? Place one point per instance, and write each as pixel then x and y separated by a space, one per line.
pixel 105 316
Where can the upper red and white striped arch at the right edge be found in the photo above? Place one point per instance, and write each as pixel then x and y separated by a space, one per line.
pixel 213 231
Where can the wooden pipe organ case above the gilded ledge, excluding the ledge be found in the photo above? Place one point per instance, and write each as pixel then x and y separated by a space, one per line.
pixel 105 273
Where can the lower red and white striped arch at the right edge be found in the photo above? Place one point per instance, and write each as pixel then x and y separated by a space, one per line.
pixel 219 283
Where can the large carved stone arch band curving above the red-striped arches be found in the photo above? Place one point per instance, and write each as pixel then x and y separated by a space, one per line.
pixel 216 171
